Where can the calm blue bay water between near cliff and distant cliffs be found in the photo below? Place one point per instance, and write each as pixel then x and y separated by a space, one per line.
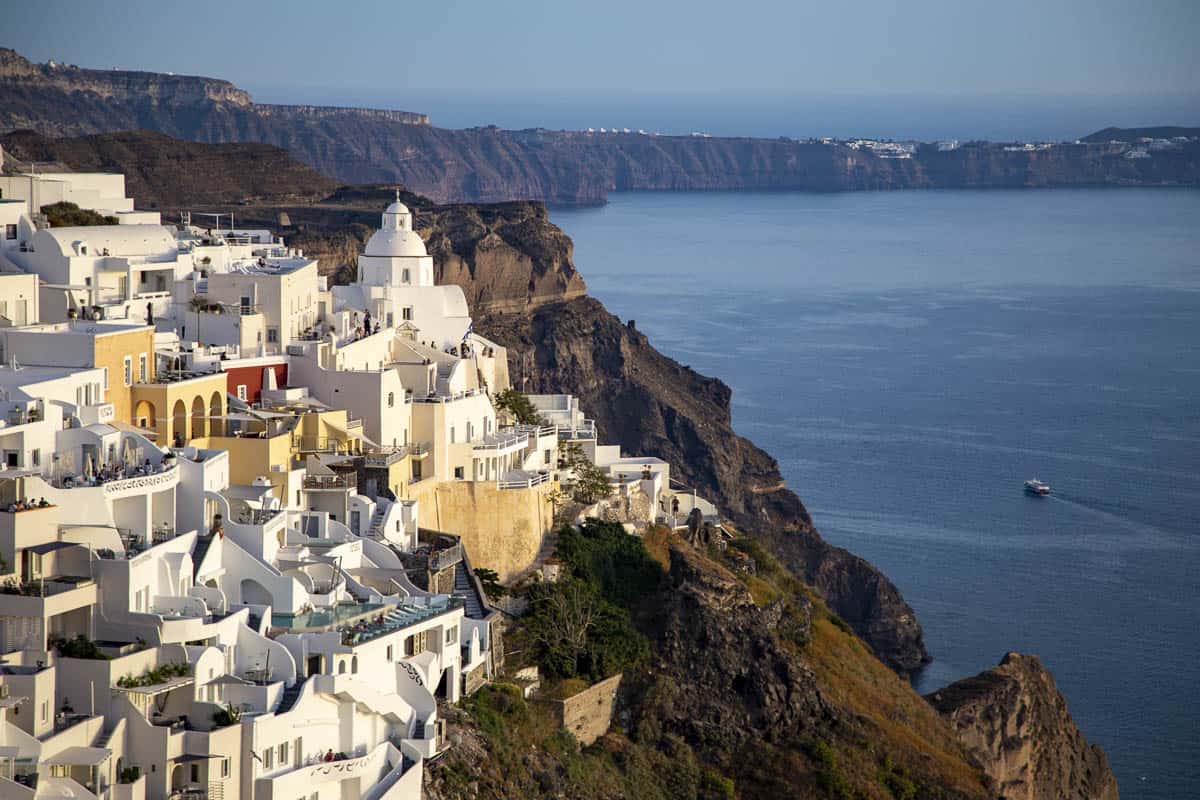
pixel 911 358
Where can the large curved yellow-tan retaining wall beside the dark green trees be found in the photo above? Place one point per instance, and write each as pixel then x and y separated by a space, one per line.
pixel 502 530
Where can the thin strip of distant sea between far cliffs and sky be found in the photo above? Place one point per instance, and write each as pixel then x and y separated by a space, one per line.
pixel 995 117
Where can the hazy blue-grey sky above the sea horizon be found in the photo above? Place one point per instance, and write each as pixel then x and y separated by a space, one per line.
pixel 766 46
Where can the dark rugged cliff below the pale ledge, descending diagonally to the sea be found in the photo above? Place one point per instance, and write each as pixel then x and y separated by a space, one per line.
pixel 650 405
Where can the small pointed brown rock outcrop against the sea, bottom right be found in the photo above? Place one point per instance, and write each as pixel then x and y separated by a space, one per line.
pixel 1016 724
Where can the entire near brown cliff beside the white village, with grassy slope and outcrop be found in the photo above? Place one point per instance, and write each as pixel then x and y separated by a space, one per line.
pixel 760 677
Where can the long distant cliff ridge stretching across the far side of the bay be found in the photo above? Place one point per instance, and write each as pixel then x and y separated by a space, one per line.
pixel 490 165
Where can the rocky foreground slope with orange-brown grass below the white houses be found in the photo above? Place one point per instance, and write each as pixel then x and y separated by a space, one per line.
pixel 743 696
